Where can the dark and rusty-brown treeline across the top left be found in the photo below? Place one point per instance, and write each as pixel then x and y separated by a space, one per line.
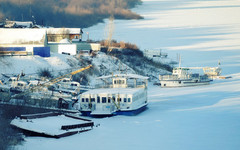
pixel 67 13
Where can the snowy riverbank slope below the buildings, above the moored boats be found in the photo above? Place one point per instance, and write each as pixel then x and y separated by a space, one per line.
pixel 59 64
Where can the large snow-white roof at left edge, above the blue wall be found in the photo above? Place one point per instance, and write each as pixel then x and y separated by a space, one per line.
pixel 22 36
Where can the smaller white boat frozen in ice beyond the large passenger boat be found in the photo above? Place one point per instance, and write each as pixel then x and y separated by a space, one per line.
pixel 181 77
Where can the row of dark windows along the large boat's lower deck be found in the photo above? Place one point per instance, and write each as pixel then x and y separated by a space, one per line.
pixel 106 100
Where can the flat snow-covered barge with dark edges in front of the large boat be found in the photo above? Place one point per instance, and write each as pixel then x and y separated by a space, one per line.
pixel 52 124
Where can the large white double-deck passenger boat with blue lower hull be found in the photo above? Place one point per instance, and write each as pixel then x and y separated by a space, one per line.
pixel 121 94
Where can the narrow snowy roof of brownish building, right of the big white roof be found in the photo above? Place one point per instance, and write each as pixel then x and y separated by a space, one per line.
pixel 64 30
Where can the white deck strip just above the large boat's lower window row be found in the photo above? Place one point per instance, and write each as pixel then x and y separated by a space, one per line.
pixel 114 91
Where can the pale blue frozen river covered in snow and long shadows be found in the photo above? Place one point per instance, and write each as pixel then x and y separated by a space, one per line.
pixel 191 118
